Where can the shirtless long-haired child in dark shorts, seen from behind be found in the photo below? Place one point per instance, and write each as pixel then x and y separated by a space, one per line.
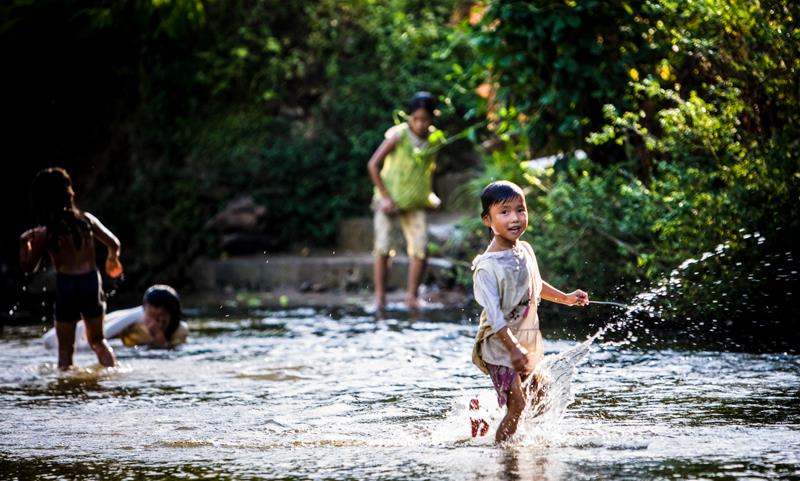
pixel 68 235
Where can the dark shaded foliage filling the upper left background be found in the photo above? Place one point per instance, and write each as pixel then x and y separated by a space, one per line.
pixel 196 103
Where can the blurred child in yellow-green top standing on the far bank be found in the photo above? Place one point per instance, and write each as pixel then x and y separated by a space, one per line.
pixel 402 171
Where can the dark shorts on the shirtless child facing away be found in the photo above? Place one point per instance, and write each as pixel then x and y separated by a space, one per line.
pixel 79 294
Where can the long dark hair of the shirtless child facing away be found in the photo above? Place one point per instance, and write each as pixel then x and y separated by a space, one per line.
pixel 54 207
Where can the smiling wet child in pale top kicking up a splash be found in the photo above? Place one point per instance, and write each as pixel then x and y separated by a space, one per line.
pixel 508 286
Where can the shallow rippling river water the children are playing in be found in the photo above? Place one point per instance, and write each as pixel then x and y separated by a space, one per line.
pixel 315 394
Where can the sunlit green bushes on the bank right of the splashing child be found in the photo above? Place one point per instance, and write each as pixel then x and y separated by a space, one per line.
pixel 688 112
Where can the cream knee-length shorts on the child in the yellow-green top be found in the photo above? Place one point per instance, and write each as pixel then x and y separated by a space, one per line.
pixel 415 230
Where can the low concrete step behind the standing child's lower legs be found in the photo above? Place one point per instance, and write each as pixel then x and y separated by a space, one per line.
pixel 313 273
